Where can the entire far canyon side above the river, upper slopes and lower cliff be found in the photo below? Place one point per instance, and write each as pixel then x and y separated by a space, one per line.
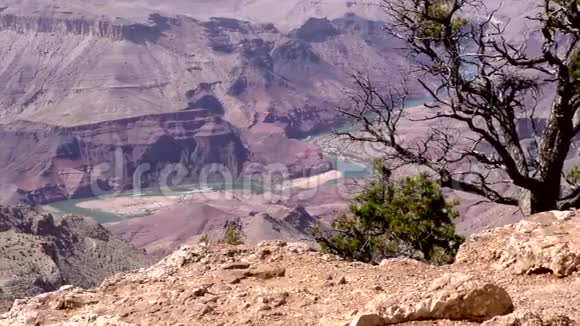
pixel 78 83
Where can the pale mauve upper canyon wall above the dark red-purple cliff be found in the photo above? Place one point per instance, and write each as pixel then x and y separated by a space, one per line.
pixel 61 68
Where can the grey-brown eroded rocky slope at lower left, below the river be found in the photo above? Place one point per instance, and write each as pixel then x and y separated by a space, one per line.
pixel 40 253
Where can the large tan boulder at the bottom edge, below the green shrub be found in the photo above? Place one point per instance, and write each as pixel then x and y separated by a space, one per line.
pixel 454 296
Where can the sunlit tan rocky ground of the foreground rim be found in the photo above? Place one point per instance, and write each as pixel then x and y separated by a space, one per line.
pixel 523 274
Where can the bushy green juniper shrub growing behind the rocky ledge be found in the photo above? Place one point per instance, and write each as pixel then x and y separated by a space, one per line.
pixel 408 217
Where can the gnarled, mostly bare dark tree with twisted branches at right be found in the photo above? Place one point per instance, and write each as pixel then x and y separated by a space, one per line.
pixel 489 86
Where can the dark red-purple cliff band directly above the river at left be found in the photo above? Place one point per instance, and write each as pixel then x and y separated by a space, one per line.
pixel 41 163
